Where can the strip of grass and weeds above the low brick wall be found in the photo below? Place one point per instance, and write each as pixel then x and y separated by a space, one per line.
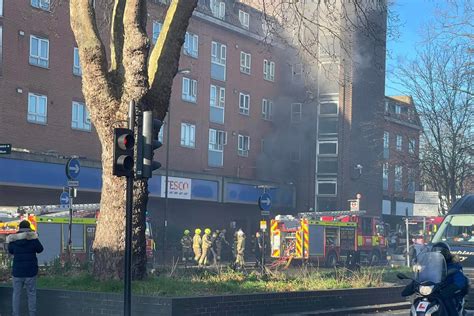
pixel 206 282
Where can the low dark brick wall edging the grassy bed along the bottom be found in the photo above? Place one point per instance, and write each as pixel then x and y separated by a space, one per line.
pixel 71 303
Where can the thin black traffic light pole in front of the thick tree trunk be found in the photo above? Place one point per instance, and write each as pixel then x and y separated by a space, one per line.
pixel 127 306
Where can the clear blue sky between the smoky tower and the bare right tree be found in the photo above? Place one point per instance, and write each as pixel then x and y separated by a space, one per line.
pixel 413 14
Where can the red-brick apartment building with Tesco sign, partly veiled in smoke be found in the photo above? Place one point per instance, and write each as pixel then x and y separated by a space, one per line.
pixel 240 118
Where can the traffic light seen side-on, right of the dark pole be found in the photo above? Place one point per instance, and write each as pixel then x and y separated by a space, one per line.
pixel 150 130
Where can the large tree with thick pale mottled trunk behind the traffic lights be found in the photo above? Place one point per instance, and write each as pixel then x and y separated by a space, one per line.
pixel 133 74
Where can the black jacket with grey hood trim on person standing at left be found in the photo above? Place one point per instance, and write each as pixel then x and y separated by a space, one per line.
pixel 24 246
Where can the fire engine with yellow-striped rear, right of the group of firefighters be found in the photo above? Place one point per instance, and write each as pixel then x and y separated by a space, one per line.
pixel 327 238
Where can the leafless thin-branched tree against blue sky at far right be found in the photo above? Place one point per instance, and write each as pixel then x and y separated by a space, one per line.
pixel 442 89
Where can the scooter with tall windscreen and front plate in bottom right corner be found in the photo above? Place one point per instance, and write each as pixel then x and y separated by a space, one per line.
pixel 430 279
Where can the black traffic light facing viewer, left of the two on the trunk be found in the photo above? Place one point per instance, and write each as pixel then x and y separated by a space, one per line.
pixel 123 152
